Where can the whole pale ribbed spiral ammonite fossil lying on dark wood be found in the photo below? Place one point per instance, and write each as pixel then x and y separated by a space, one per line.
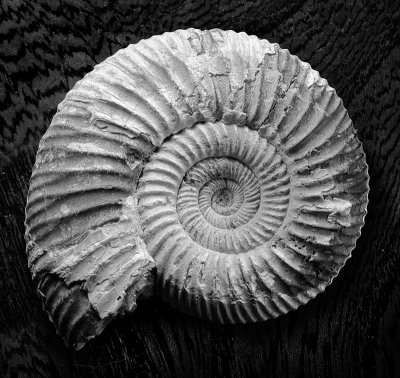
pixel 210 167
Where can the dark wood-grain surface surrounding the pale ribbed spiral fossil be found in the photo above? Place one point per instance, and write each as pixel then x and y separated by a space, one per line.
pixel 351 330
